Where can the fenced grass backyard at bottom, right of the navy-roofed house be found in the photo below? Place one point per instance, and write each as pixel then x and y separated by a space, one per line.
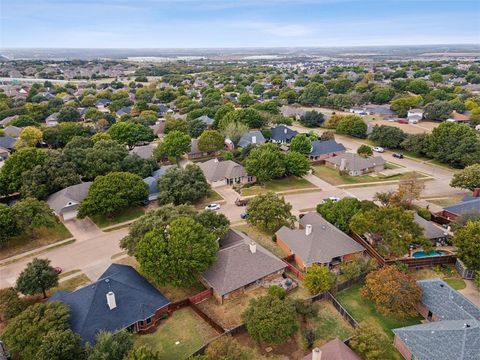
pixel 178 336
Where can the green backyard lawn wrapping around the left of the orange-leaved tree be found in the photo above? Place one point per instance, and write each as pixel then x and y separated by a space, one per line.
pixel 364 310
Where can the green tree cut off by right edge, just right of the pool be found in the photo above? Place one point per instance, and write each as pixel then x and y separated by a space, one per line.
pixel 467 240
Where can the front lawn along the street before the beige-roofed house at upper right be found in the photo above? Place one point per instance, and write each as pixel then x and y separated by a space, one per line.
pixel 333 177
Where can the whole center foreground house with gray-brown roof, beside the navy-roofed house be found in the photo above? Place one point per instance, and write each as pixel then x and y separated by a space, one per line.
pixel 241 265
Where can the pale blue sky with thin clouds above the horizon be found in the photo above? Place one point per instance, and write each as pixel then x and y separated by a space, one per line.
pixel 236 23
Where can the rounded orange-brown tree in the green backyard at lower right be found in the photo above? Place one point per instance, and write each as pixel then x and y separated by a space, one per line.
pixel 393 292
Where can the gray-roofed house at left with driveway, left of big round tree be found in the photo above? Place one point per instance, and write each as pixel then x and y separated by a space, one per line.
pixel 65 202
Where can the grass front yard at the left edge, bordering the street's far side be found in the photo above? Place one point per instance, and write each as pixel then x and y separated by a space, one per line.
pixel 43 236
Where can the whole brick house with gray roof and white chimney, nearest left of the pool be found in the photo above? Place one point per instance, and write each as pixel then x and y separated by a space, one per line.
pixel 317 242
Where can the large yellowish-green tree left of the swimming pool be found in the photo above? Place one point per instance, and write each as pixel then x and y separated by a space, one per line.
pixel 395 227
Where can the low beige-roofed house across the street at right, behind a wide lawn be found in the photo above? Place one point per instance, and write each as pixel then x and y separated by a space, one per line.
pixel 355 165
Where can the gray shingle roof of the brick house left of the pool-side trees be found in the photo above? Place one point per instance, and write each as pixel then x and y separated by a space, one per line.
pixel 322 245
